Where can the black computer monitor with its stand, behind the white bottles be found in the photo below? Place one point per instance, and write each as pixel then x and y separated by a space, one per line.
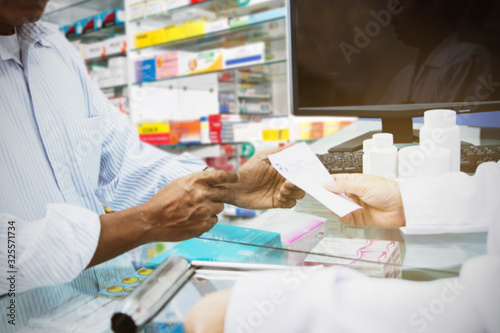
pixel 393 59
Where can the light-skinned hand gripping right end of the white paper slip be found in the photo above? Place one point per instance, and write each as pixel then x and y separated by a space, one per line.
pixel 379 197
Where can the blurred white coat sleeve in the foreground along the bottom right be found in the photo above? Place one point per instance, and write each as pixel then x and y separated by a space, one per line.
pixel 340 300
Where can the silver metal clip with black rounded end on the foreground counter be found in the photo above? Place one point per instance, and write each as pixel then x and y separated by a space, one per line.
pixel 160 287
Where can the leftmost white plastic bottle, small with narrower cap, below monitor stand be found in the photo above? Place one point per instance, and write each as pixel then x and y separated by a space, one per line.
pixel 383 156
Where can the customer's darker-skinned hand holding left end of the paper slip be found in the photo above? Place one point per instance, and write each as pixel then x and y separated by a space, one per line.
pixel 260 186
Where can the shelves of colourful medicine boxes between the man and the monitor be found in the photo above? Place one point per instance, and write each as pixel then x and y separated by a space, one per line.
pixel 190 61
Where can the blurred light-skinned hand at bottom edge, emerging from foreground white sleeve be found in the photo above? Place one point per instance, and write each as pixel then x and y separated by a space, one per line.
pixel 207 316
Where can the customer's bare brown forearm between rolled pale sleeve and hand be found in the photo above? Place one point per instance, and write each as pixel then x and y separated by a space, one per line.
pixel 120 232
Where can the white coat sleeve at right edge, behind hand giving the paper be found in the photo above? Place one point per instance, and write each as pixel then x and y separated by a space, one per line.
pixel 452 203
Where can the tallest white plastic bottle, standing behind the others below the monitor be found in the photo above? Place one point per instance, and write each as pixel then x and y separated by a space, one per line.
pixel 440 130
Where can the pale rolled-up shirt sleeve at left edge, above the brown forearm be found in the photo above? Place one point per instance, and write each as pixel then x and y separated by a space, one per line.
pixel 49 251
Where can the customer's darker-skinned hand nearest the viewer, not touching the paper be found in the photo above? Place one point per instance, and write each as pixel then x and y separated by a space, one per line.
pixel 188 206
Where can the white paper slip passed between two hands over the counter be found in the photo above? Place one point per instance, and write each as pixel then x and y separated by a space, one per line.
pixel 302 167
